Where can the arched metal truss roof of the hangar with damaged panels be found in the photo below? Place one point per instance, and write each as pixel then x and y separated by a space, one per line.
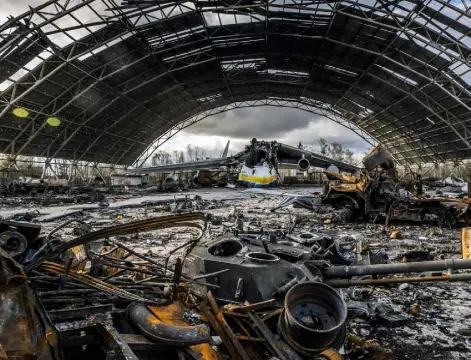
pixel 119 74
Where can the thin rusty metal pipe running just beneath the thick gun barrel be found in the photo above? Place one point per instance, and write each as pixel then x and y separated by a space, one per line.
pixel 344 283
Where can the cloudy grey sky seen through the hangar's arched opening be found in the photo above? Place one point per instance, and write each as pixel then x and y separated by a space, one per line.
pixel 264 123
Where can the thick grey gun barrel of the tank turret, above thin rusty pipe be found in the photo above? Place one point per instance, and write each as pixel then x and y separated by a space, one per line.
pixel 381 269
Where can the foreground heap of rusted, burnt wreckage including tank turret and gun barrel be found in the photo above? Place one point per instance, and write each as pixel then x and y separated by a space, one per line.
pixel 264 294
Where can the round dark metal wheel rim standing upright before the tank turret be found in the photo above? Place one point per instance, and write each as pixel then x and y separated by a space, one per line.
pixel 313 317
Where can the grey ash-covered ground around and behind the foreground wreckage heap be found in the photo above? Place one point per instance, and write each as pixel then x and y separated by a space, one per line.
pixel 431 320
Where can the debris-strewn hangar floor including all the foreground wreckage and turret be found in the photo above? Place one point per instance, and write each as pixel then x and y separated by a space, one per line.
pixel 210 275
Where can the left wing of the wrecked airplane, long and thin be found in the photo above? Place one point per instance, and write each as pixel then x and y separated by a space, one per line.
pixel 188 166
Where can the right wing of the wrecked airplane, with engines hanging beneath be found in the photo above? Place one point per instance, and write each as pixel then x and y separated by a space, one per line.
pixel 291 155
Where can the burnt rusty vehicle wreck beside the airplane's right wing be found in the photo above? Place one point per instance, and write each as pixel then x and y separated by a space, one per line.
pixel 377 190
